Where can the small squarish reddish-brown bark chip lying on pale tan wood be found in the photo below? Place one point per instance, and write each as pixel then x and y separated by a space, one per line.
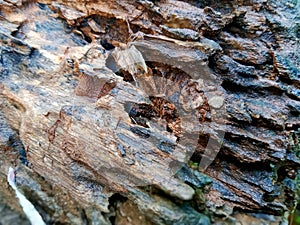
pixel 94 87
